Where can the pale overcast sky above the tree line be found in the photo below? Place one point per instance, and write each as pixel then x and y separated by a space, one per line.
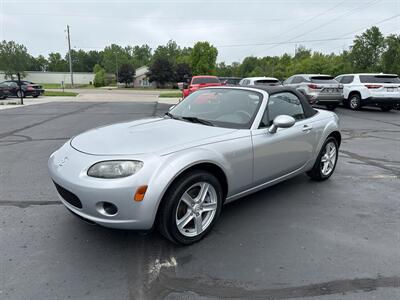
pixel 237 28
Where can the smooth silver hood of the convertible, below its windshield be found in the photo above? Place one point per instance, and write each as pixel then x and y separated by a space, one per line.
pixel 146 136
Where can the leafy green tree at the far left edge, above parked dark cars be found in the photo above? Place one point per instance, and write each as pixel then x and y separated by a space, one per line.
pixel 14 58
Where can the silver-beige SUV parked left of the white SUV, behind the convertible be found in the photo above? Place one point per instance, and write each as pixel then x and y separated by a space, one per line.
pixel 318 88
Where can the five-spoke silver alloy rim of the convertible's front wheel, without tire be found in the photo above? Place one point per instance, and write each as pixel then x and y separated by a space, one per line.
pixel 196 209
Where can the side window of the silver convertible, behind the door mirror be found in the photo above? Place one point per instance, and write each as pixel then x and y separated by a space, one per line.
pixel 282 104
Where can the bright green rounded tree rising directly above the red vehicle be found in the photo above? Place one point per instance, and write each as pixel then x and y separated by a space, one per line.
pixel 203 58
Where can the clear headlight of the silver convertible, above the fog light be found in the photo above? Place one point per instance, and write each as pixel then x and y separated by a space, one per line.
pixel 115 168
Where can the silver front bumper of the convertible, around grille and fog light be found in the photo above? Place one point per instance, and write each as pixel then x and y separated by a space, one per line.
pixel 68 169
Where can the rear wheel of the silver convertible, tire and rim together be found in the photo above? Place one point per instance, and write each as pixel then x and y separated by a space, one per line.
pixel 318 172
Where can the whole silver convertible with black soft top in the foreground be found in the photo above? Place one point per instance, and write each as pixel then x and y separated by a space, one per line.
pixel 175 172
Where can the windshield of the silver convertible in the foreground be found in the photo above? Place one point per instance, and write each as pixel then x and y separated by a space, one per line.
pixel 231 108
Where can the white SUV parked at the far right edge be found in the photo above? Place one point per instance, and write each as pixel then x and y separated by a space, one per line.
pixel 382 90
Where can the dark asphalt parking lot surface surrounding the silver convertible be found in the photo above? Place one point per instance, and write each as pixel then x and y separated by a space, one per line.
pixel 339 239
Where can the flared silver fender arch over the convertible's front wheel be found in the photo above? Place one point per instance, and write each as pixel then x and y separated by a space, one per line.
pixel 175 164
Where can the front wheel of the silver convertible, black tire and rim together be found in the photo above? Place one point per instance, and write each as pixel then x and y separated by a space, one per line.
pixel 174 209
